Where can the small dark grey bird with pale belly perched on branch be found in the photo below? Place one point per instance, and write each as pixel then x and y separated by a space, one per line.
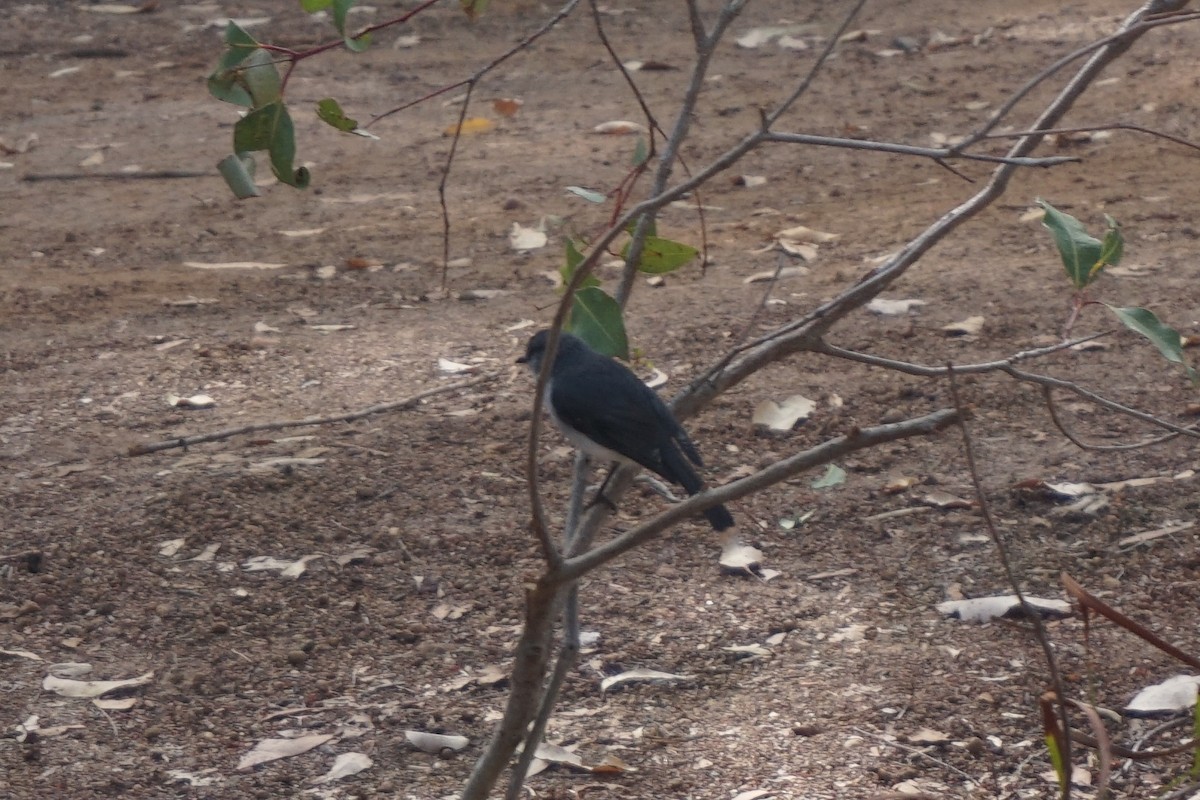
pixel 608 413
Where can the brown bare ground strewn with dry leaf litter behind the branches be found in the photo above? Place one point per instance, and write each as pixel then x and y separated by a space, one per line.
pixel 418 519
